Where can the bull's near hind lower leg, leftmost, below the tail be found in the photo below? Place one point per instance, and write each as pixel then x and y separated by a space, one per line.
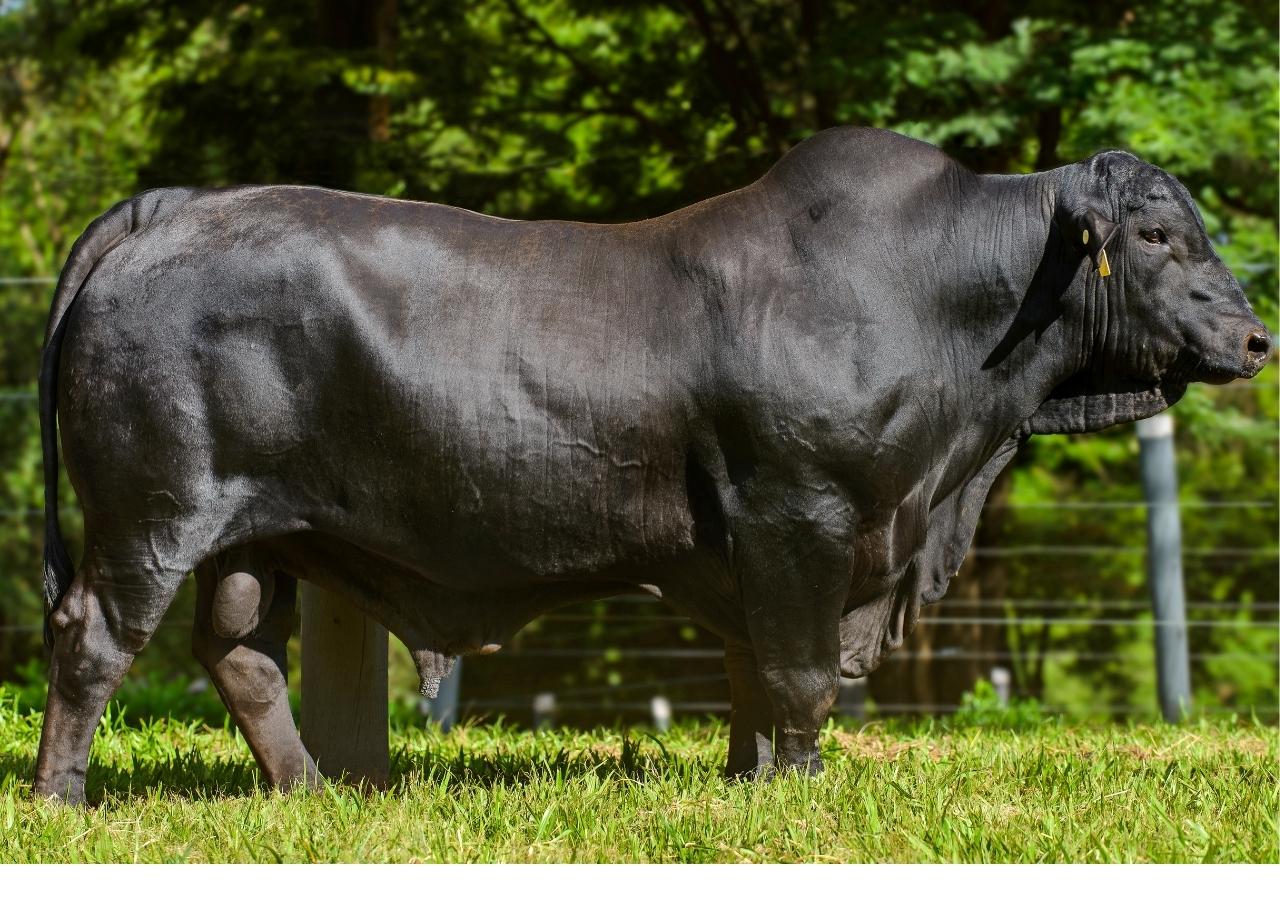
pixel 103 622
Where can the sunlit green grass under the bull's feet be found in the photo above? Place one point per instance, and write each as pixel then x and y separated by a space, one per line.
pixel 170 792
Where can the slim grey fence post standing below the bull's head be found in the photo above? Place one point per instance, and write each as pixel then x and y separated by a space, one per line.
pixel 1165 565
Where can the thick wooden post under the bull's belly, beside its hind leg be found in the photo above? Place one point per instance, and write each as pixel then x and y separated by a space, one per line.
pixel 344 689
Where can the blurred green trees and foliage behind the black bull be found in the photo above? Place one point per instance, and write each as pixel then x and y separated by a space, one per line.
pixel 609 111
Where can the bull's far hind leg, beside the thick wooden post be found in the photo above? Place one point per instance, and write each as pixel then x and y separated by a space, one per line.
pixel 244 620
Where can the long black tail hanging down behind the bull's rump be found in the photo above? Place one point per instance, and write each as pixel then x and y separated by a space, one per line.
pixel 99 239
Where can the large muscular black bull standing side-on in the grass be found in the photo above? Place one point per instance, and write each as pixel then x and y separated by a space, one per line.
pixel 779 410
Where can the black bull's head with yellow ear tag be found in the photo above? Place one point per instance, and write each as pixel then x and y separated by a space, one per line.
pixel 1163 307
